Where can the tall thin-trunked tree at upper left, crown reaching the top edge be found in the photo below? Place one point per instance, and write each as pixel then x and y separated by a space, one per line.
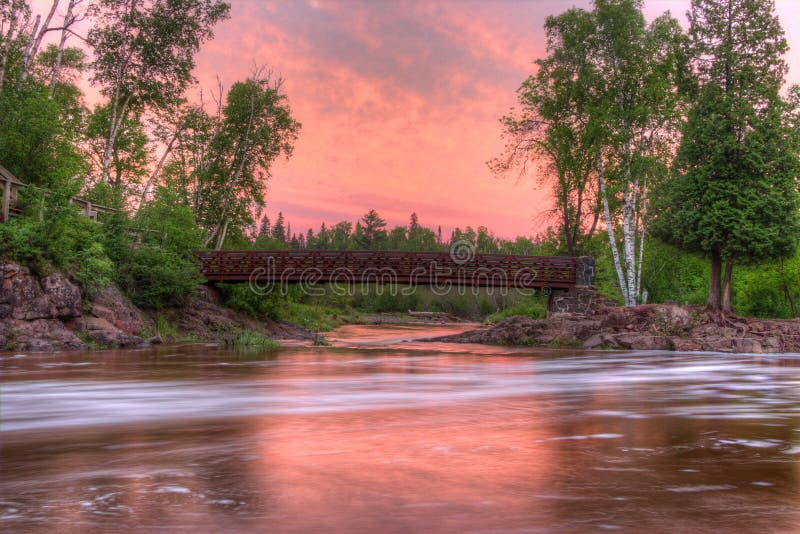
pixel 144 54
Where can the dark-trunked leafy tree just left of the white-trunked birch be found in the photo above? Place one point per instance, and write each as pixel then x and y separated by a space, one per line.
pixel 551 126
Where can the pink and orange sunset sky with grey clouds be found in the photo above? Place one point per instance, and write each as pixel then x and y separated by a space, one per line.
pixel 400 101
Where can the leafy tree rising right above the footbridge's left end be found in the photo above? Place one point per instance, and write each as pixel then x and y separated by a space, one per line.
pixel 220 162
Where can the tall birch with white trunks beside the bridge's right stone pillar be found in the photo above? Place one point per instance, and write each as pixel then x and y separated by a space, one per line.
pixel 636 104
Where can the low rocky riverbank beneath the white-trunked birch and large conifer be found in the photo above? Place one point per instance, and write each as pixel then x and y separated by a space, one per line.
pixel 647 327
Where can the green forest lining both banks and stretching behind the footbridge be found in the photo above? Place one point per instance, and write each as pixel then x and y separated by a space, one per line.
pixel 672 156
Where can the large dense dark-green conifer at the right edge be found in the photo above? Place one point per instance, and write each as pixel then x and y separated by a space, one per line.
pixel 734 196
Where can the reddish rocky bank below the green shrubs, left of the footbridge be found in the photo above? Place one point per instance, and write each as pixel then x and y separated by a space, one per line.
pixel 50 313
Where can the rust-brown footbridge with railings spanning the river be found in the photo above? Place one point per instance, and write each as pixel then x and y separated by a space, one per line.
pixel 390 267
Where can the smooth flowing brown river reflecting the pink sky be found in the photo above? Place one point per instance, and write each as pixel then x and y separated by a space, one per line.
pixel 379 433
